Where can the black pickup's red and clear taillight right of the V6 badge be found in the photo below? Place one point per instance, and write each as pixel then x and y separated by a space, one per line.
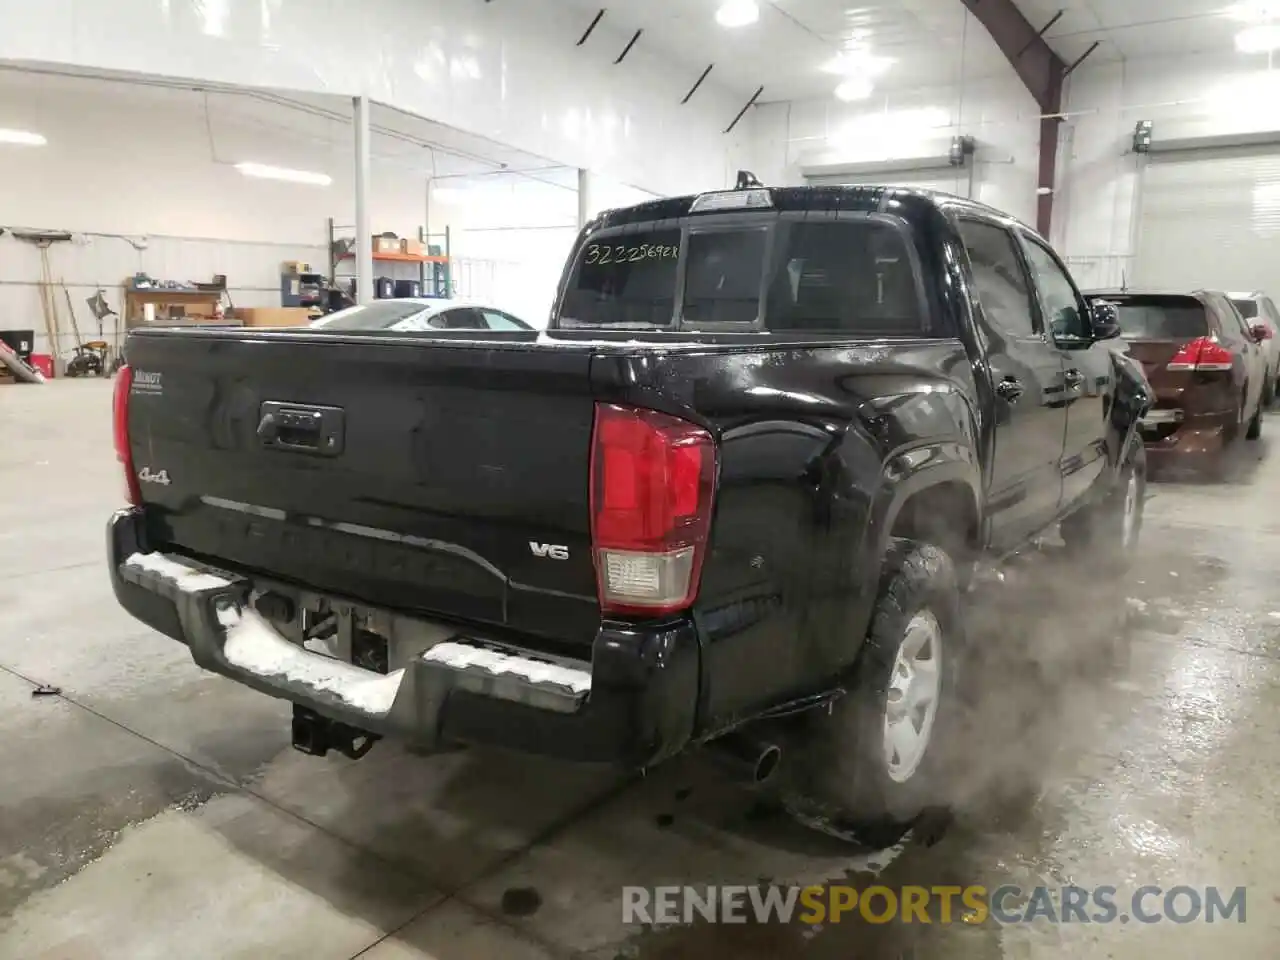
pixel 653 478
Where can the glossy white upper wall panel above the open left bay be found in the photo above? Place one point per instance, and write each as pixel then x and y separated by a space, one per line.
pixel 511 72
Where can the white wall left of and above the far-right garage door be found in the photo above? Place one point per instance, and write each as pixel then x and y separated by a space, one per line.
pixel 1100 179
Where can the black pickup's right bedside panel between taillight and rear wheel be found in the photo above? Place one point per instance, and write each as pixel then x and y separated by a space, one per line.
pixel 811 477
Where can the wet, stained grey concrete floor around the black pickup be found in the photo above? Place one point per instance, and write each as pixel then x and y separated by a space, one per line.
pixel 1126 734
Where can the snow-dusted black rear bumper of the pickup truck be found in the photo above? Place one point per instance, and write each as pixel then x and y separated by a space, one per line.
pixel 634 705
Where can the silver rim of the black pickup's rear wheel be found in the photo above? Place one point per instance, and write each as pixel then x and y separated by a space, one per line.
pixel 913 697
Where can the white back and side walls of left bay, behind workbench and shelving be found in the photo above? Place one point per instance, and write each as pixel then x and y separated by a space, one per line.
pixel 141 164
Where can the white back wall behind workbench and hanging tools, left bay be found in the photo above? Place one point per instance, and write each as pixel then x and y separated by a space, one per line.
pixel 144 167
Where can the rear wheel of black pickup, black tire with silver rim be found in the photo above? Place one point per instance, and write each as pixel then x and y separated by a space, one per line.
pixel 868 770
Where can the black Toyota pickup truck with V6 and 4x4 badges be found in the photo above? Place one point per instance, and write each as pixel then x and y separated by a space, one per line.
pixel 730 497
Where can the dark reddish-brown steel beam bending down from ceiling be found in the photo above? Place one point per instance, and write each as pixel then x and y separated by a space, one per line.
pixel 1043 74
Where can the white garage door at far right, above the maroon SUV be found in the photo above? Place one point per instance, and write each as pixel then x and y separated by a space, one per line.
pixel 1210 220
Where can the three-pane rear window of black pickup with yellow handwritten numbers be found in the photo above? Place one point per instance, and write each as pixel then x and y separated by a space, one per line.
pixel 853 277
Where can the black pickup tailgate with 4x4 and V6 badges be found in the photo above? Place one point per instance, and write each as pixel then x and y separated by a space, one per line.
pixel 410 473
